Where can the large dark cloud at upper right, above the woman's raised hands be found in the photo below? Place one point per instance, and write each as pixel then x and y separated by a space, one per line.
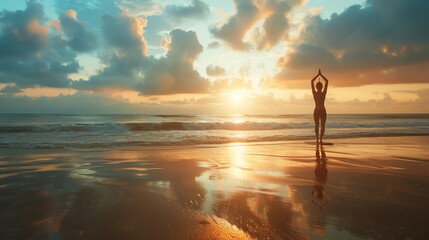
pixel 376 37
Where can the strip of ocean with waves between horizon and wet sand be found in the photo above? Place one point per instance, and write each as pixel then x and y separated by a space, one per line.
pixel 55 131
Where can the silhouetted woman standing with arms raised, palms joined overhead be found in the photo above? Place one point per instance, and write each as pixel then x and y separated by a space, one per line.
pixel 319 96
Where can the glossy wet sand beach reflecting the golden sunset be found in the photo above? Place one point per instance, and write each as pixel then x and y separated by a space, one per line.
pixel 370 188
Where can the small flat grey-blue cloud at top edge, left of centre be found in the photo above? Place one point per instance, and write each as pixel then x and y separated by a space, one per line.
pixel 197 9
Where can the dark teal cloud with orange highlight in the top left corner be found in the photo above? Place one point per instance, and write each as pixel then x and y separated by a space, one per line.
pixel 32 54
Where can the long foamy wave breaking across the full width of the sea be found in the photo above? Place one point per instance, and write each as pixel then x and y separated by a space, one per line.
pixel 202 126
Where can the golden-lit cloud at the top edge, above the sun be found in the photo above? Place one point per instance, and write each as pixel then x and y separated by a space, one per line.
pixel 273 14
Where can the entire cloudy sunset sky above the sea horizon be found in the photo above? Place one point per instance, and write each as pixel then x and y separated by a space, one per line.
pixel 212 57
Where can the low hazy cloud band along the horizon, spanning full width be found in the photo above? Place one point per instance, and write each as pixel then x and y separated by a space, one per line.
pixel 83 102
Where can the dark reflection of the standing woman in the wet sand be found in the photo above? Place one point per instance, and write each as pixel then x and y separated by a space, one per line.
pixel 319 195
